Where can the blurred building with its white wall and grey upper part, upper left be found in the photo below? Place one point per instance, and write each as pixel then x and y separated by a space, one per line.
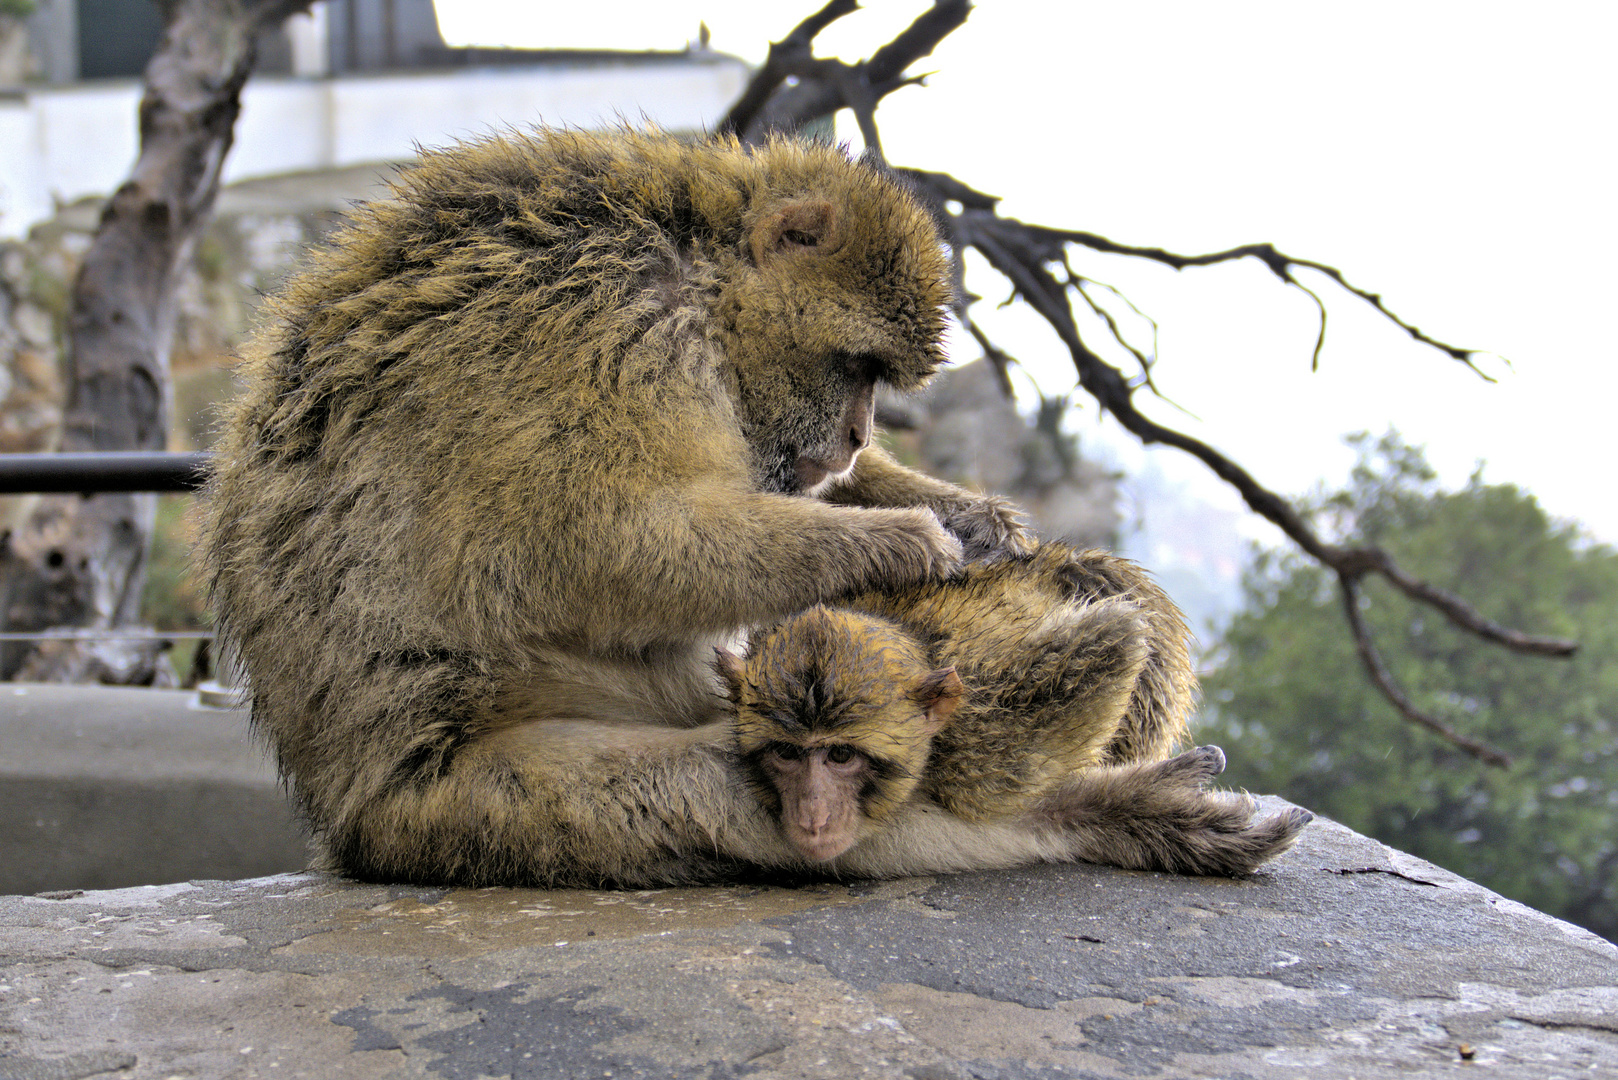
pixel 354 82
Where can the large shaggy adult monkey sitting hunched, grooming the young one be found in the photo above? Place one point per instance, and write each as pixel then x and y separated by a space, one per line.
pixel 523 446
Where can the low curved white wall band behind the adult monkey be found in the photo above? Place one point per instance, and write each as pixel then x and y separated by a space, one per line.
pixel 59 145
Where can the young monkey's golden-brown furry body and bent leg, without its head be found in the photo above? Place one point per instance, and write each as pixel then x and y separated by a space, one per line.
pixel 1072 660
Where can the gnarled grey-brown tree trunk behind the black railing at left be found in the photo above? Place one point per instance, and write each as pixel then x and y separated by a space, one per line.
pixel 82 561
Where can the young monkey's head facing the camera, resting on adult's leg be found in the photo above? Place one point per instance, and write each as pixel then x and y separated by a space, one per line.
pixel 836 715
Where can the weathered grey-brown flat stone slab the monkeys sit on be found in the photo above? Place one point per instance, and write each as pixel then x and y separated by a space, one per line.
pixel 1344 959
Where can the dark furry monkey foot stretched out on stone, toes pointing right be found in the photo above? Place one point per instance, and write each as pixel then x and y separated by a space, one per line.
pixel 1159 817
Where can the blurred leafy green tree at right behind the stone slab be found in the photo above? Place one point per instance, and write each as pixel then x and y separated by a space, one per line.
pixel 1292 705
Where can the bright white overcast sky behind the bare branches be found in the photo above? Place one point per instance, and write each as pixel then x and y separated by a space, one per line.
pixel 1455 158
